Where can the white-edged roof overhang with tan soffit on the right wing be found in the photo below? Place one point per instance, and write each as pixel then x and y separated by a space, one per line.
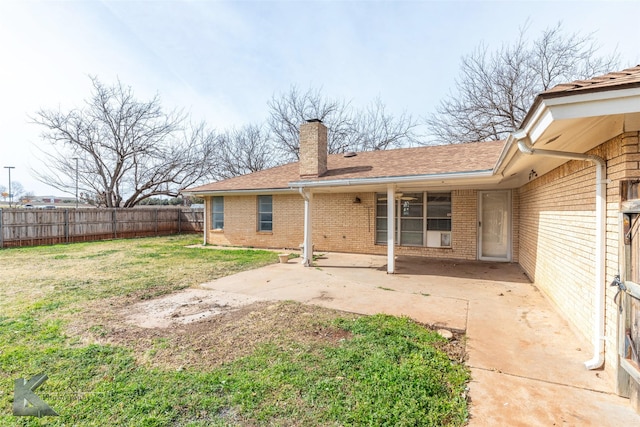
pixel 572 123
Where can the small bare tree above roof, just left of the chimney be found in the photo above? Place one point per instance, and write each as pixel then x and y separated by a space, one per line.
pixel 245 150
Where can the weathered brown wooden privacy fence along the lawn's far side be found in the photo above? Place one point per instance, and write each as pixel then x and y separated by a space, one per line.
pixel 30 227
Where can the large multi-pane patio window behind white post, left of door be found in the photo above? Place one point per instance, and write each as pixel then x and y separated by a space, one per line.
pixel 420 218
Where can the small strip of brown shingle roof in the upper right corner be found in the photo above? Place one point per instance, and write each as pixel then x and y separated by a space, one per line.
pixel 619 80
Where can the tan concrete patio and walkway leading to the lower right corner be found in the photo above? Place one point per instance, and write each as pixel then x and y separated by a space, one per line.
pixel 526 361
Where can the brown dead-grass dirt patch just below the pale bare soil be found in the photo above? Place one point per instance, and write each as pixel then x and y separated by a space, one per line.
pixel 213 340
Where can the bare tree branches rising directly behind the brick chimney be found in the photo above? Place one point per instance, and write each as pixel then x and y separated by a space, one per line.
pixel 372 128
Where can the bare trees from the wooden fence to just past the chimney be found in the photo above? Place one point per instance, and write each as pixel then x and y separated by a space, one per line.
pixel 124 151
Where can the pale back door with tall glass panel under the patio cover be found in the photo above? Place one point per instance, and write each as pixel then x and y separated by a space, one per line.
pixel 494 226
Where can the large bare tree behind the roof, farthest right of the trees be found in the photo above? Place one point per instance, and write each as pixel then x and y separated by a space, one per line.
pixel 496 89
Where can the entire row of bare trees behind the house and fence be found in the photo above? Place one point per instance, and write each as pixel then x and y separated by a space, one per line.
pixel 126 152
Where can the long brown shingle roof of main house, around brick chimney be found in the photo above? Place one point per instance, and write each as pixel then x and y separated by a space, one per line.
pixel 471 157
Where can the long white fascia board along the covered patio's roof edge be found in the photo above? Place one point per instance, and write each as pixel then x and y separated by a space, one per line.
pixel 394 179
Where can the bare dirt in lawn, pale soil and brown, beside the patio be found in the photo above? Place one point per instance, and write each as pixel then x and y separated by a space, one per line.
pixel 199 329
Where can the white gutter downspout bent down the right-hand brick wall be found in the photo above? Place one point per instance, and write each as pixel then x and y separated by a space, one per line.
pixel 524 145
